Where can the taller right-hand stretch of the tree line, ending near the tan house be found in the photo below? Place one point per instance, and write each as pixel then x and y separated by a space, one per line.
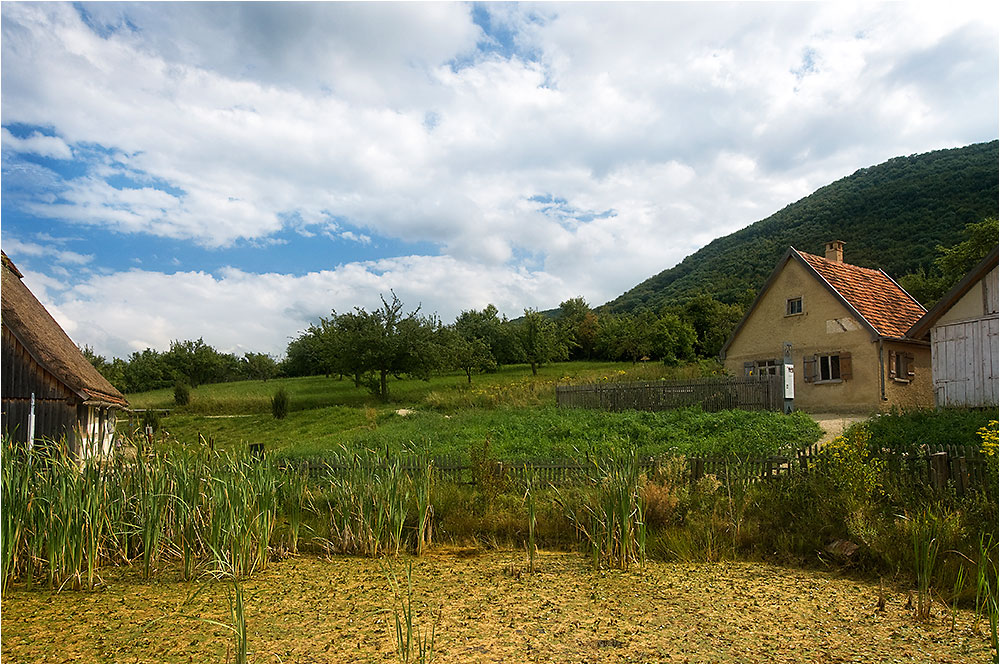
pixel 370 347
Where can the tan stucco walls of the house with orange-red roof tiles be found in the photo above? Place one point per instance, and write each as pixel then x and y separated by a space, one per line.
pixel 824 327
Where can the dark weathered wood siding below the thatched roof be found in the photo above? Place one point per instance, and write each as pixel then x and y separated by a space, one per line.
pixel 55 405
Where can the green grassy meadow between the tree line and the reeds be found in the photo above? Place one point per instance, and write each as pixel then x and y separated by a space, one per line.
pixel 512 409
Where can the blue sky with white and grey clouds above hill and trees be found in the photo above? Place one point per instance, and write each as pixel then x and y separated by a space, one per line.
pixel 233 171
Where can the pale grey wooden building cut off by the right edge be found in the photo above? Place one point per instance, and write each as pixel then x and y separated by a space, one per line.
pixel 962 329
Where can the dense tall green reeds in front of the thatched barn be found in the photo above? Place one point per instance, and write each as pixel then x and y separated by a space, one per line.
pixel 64 519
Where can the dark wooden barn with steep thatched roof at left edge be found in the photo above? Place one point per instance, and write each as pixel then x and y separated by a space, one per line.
pixel 41 364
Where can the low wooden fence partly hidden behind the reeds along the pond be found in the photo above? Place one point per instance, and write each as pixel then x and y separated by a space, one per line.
pixel 958 467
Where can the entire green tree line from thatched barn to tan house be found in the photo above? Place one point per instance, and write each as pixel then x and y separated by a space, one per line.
pixel 369 348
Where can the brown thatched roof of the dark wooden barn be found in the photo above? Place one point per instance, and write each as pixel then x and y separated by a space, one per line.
pixel 48 343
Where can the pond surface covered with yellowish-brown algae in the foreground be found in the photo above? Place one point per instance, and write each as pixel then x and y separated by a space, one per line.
pixel 308 609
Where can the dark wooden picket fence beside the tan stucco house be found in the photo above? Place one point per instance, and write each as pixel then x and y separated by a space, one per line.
pixel 752 393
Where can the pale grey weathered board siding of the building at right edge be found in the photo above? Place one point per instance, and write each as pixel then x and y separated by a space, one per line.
pixel 966 363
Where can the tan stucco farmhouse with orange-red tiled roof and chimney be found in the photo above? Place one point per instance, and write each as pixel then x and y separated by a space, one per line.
pixel 846 327
